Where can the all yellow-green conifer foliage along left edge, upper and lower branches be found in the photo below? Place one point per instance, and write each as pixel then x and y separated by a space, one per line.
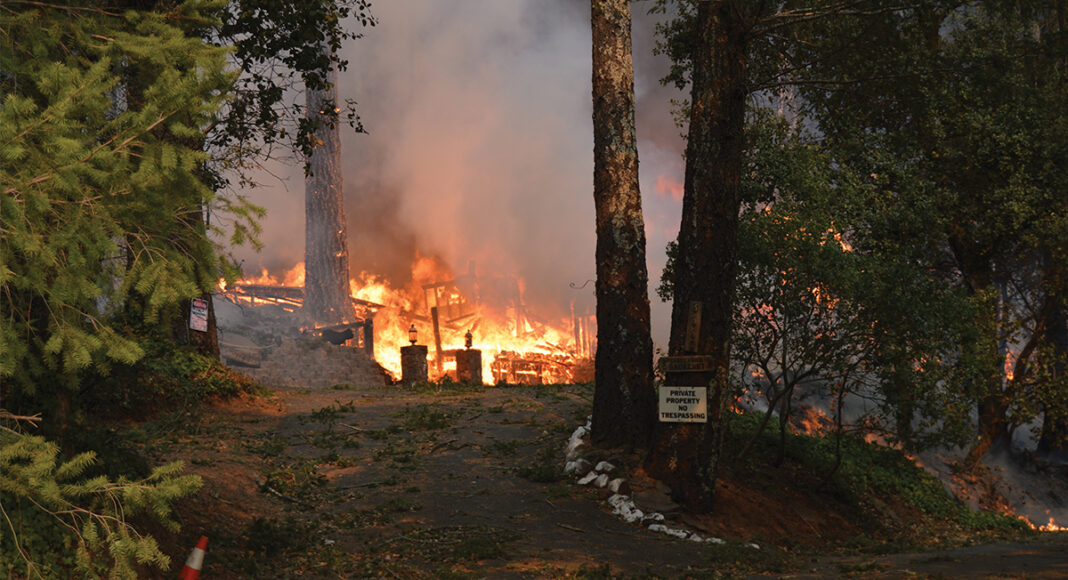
pixel 104 198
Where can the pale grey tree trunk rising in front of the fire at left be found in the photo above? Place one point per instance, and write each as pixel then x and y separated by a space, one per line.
pixel 326 248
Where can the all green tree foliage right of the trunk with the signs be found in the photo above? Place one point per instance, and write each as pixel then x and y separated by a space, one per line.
pixel 929 139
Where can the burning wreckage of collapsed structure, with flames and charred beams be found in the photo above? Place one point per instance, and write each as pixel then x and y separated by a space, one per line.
pixel 452 315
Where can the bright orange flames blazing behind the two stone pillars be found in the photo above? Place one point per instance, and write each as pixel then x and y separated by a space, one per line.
pixel 498 330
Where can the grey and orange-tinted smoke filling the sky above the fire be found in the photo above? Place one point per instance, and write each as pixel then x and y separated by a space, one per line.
pixel 480 149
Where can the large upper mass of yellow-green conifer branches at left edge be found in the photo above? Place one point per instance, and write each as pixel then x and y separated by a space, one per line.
pixel 99 132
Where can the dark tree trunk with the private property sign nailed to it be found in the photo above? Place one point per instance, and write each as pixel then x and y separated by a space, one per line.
pixel 687 456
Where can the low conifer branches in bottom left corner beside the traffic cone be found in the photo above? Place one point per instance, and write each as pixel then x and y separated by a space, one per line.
pixel 59 521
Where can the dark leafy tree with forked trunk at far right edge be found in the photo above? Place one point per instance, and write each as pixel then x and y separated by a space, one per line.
pixel 960 123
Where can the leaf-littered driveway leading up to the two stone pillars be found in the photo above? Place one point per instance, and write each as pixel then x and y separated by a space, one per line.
pixel 452 483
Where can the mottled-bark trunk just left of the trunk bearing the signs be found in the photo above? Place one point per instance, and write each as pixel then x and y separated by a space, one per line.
pixel 624 400
